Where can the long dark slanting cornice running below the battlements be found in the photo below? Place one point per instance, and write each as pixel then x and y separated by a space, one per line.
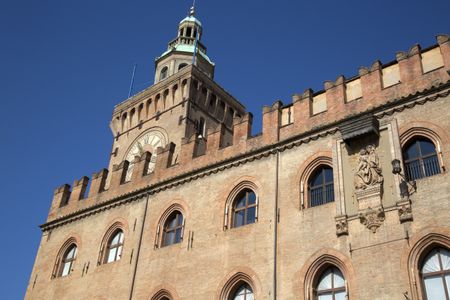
pixel 389 108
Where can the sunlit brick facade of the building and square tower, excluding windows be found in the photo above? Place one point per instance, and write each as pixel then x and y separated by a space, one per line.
pixel 284 251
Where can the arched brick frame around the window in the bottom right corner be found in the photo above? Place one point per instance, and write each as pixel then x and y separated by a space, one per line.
pixel 422 246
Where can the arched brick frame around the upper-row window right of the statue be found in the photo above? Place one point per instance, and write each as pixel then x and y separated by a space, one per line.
pixel 421 132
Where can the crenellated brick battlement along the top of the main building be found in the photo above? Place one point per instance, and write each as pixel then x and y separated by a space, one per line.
pixel 416 72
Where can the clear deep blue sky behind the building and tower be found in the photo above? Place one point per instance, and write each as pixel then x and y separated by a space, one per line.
pixel 65 64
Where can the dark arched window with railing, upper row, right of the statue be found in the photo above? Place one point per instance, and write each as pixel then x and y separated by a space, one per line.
pixel 421 159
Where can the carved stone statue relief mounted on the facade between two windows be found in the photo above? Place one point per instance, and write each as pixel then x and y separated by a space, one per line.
pixel 368 172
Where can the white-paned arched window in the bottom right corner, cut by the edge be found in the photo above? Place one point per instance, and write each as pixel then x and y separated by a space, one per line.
pixel 435 274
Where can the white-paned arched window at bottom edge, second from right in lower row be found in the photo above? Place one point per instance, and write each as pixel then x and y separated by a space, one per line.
pixel 331 285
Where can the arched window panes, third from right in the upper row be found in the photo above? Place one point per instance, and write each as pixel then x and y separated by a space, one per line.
pixel 244 208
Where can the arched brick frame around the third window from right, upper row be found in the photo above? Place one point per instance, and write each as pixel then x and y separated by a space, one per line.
pixel 230 202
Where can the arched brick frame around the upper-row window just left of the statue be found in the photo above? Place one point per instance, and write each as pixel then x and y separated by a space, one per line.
pixel 306 174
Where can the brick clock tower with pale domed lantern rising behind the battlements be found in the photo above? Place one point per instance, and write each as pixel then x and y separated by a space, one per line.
pixel 184 103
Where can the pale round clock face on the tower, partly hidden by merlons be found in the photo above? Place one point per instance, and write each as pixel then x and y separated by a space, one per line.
pixel 149 141
